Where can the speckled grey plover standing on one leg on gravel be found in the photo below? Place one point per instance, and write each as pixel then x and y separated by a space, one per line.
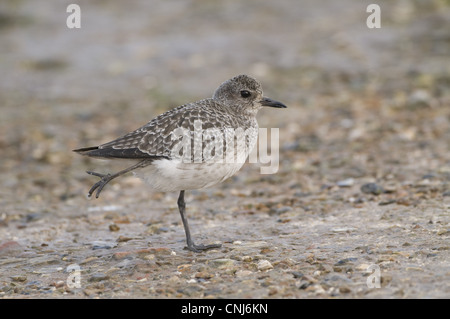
pixel 184 149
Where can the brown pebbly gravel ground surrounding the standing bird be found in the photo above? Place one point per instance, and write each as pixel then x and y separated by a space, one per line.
pixel 363 187
